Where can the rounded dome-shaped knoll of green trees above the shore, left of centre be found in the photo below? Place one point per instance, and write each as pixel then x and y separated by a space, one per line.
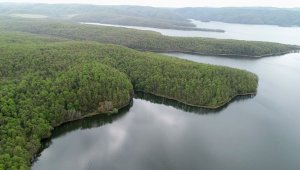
pixel 84 84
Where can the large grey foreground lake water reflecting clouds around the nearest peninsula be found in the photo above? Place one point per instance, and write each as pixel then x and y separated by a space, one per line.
pixel 250 133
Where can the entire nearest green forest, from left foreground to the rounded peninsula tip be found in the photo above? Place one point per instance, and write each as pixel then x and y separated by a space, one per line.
pixel 45 81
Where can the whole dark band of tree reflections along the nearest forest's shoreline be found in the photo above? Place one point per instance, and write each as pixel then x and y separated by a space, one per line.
pixel 100 120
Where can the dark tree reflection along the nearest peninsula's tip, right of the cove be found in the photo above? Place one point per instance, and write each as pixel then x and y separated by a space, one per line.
pixel 161 100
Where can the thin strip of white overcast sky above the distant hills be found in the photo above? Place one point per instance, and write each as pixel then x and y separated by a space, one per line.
pixel 177 3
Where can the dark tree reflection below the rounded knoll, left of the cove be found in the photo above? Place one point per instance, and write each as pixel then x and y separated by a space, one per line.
pixel 86 123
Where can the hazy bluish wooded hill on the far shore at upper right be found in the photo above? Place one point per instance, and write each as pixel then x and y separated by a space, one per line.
pixel 261 16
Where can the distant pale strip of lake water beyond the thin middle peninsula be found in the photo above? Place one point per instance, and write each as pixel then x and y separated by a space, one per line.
pixel 285 35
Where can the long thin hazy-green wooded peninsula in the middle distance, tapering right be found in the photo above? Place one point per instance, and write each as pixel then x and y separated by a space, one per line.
pixel 146 40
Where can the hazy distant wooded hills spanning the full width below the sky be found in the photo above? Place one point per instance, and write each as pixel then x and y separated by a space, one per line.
pixel 167 18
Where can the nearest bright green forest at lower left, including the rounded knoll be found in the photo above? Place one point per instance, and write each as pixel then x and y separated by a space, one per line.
pixel 32 105
